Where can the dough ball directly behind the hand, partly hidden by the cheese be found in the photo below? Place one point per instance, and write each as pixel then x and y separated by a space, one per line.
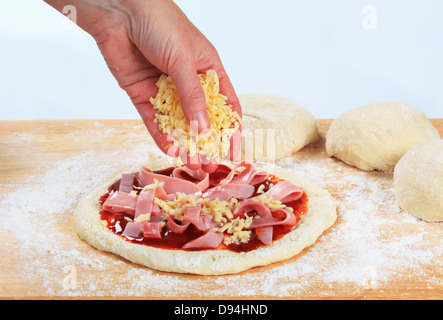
pixel 274 127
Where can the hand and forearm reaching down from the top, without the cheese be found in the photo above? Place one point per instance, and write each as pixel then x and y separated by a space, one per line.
pixel 142 39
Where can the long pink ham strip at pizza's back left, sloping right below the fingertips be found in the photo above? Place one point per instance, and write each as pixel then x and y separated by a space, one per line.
pixel 171 184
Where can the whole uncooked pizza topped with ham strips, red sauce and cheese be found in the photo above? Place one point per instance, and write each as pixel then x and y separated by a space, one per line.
pixel 171 218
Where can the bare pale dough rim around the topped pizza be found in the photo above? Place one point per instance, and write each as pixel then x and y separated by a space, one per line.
pixel 320 216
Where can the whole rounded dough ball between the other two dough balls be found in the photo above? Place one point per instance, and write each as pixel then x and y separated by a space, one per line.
pixel 376 136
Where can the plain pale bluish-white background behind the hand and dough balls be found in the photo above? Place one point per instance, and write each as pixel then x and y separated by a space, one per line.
pixel 318 52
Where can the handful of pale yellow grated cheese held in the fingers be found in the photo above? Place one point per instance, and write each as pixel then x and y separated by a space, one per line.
pixel 213 143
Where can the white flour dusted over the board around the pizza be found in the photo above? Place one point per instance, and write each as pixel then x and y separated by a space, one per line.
pixel 373 241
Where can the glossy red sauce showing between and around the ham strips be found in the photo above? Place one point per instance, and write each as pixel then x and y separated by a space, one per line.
pixel 169 240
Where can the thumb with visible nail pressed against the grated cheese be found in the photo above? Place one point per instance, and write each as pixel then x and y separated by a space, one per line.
pixel 192 97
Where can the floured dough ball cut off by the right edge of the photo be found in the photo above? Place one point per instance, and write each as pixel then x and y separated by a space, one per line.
pixel 418 181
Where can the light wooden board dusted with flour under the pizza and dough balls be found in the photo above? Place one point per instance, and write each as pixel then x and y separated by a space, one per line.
pixel 374 251
